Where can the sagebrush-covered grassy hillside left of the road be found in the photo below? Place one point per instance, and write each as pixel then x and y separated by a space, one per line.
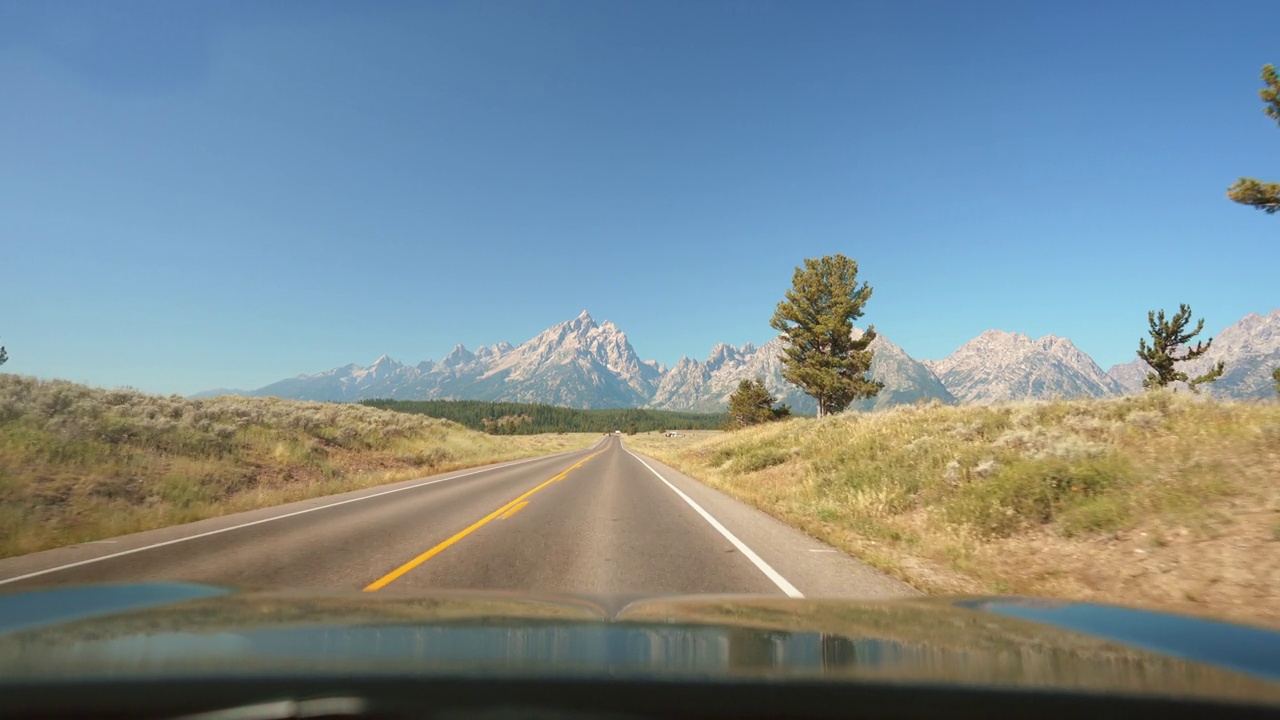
pixel 81 463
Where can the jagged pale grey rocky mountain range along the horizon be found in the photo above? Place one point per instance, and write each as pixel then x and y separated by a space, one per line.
pixel 586 364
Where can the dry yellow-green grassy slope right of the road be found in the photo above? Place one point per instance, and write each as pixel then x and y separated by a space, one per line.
pixel 1158 500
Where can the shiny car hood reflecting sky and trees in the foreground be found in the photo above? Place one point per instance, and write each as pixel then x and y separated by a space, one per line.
pixel 185 631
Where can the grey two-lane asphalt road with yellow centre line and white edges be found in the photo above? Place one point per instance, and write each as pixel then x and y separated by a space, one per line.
pixel 604 521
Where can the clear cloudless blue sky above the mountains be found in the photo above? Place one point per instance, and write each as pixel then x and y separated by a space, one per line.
pixel 200 194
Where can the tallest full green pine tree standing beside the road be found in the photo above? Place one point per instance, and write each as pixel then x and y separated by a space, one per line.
pixel 817 322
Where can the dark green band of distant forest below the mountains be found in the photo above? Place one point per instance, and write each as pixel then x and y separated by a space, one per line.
pixel 520 418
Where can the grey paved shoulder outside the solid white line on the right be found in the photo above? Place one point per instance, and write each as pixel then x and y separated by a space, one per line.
pixel 813 568
